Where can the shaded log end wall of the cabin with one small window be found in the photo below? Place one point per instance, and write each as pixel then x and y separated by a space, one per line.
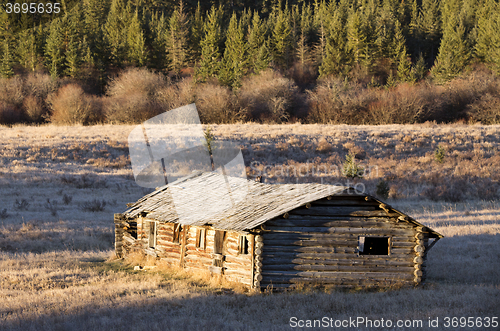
pixel 318 244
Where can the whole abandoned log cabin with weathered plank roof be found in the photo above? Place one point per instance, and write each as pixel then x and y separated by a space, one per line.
pixel 277 235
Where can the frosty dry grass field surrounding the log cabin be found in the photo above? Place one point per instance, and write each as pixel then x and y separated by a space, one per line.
pixel 61 185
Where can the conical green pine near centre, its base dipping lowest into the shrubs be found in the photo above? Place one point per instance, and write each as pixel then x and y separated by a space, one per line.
pixel 233 64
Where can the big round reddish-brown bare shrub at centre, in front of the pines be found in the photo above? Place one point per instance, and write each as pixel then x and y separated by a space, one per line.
pixel 269 97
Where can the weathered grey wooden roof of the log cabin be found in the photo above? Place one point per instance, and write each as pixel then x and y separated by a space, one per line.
pixel 231 203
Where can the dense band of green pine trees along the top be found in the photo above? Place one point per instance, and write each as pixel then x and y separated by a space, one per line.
pixel 391 39
